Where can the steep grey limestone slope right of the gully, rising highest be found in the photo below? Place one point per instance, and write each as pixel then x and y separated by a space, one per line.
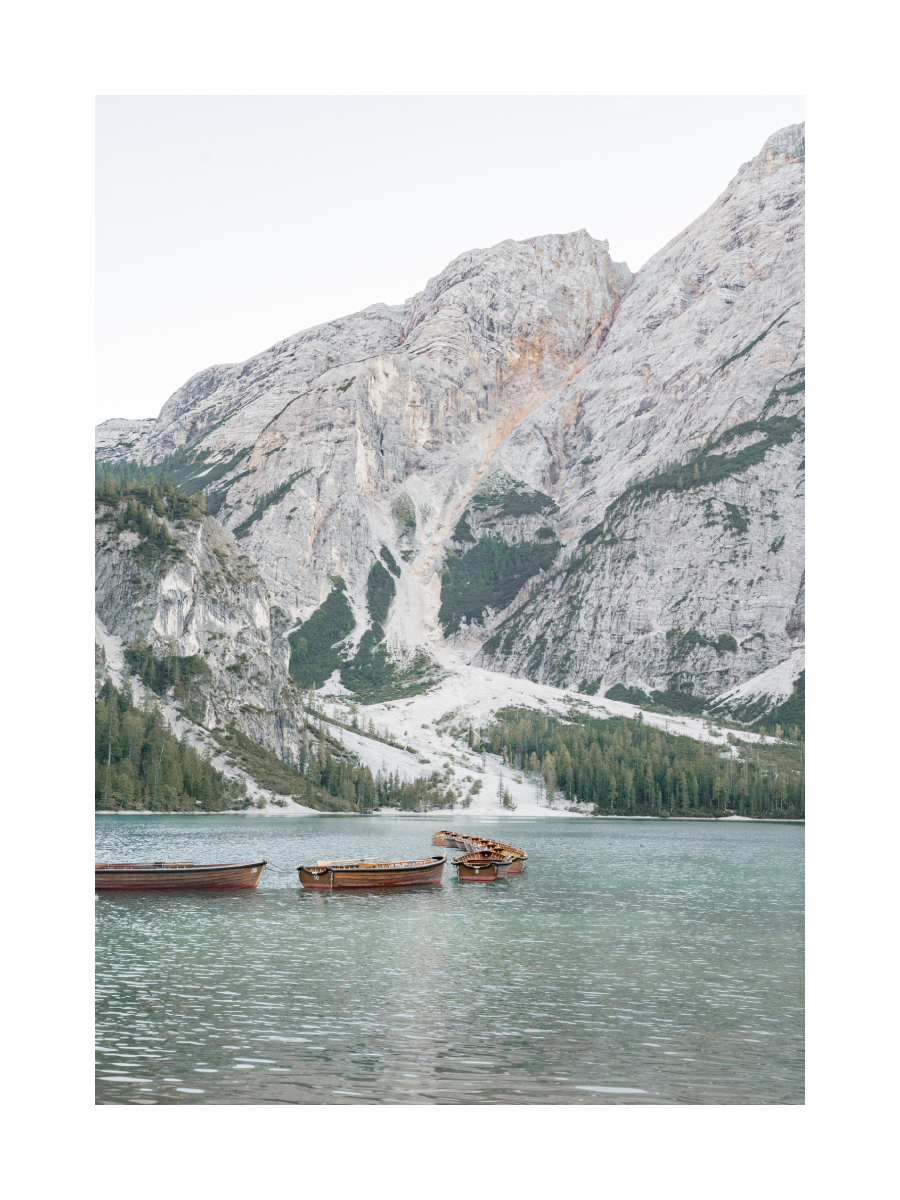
pixel 698 578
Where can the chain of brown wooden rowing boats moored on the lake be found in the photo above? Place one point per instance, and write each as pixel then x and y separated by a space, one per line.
pixel 483 862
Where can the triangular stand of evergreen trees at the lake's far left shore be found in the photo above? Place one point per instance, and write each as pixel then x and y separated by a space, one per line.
pixel 140 764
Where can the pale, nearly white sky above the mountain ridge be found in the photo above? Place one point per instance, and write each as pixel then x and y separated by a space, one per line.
pixel 227 224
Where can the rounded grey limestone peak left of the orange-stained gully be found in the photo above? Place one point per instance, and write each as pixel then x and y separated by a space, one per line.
pixel 382 422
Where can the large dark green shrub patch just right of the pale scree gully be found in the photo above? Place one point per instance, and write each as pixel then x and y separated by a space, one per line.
pixel 489 577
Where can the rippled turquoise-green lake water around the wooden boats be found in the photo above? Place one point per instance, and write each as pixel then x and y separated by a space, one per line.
pixel 632 963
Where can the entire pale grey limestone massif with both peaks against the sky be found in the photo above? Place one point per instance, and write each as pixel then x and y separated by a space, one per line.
pixel 584 477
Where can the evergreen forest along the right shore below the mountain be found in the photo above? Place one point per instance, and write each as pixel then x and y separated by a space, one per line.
pixel 623 766
